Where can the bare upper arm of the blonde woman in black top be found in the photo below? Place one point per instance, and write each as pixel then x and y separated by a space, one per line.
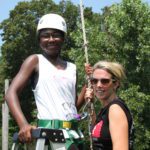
pixel 118 126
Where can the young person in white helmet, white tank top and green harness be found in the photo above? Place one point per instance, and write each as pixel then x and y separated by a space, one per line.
pixel 54 85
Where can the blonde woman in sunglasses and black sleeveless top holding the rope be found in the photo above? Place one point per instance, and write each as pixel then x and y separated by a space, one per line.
pixel 113 125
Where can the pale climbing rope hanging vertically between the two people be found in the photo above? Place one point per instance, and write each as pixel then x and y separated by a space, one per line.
pixel 89 104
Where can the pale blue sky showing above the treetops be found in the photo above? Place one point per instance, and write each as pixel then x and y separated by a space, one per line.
pixel 97 5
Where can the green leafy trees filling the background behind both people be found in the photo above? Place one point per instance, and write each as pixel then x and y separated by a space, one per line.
pixel 121 33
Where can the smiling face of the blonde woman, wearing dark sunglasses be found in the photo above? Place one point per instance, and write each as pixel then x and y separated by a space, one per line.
pixel 103 84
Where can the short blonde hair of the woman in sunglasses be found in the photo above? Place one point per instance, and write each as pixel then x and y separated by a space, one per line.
pixel 114 68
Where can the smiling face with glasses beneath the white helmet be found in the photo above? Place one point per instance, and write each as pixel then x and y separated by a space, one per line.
pixel 51 41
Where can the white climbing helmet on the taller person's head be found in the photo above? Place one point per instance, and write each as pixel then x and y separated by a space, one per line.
pixel 53 21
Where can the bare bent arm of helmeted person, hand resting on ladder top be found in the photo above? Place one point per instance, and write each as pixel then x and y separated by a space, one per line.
pixel 12 96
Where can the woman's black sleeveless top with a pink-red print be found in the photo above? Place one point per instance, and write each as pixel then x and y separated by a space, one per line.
pixel 100 130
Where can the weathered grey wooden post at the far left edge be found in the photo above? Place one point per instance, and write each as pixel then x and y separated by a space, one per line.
pixel 5 119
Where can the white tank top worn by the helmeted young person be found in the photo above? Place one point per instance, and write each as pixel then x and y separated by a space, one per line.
pixel 55 92
